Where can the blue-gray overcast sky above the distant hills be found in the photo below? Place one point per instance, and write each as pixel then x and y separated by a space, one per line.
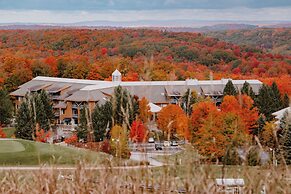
pixel 69 11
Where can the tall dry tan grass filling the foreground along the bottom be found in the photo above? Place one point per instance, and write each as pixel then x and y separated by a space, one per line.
pixel 190 178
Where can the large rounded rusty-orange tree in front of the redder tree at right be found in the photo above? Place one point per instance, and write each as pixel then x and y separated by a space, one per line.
pixel 218 132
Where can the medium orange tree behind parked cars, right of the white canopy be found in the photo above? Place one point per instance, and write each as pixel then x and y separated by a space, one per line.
pixel 172 120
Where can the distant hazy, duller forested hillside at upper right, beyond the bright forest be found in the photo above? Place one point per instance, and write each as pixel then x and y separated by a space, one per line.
pixel 274 40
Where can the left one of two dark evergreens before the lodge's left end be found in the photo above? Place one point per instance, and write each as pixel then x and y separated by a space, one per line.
pixel 25 127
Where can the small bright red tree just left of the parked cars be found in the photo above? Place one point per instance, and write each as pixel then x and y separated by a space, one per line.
pixel 138 132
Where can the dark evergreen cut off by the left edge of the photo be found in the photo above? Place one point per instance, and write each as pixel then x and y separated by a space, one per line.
pixel 6 108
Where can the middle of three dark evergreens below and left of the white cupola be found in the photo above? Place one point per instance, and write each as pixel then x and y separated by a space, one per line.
pixel 102 120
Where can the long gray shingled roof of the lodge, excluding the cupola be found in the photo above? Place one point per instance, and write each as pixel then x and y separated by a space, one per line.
pixel 156 91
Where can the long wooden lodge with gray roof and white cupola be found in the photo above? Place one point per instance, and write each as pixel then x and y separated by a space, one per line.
pixel 69 95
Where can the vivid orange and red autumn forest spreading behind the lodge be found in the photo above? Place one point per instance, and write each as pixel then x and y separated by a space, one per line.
pixel 138 53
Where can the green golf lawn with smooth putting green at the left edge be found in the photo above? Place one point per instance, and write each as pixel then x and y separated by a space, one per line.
pixel 23 152
